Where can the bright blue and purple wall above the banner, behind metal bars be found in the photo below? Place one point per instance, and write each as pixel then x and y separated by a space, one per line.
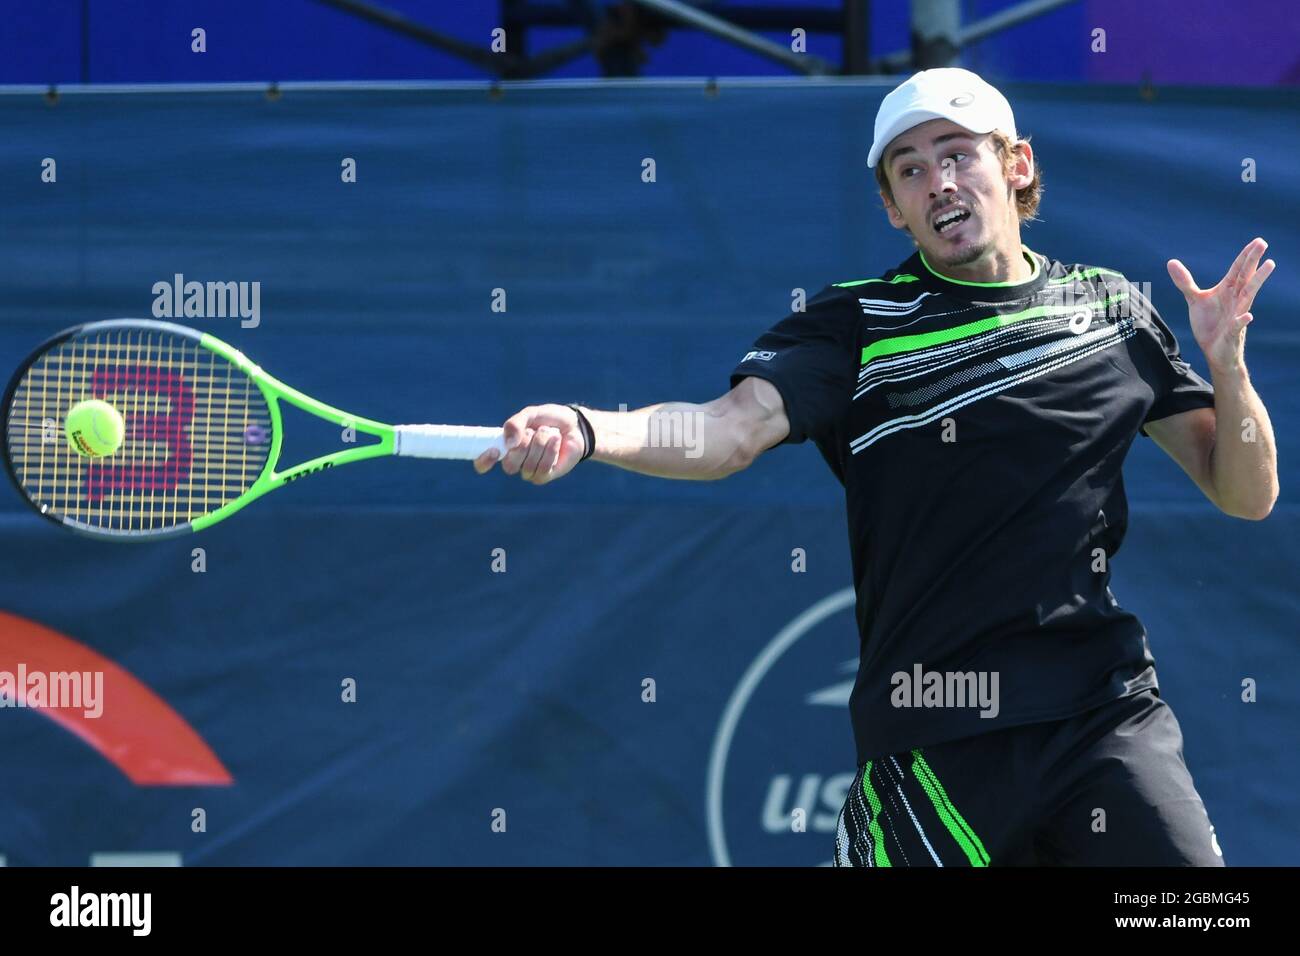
pixel 1159 41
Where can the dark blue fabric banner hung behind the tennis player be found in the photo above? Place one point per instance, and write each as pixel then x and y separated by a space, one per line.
pixel 522 691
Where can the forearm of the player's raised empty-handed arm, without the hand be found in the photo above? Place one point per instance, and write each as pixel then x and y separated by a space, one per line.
pixel 1243 462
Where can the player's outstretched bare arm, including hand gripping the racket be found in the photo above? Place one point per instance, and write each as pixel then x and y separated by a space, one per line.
pixel 674 440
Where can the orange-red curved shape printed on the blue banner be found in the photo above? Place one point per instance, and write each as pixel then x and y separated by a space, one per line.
pixel 137 732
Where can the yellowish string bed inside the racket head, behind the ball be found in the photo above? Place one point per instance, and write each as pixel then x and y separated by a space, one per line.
pixel 198 431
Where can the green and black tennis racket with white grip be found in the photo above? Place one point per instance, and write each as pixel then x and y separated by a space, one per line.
pixel 203 431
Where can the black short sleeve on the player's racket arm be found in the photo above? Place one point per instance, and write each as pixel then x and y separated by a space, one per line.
pixel 809 358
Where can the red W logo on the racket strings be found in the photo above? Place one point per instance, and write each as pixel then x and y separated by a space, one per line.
pixel 167 427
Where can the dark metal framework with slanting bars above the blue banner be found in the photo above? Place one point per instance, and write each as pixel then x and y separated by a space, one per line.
pixel 619 33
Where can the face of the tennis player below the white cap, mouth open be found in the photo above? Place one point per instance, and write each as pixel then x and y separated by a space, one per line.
pixel 938 170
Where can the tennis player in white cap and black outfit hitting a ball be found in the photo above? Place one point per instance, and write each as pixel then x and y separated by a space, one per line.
pixel 977 403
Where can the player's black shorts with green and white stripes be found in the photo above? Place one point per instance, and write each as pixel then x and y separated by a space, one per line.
pixel 1104 789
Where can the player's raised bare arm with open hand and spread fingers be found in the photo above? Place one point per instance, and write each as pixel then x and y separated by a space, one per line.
pixel 1229 451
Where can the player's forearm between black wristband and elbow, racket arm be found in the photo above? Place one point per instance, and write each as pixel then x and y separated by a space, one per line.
pixel 675 440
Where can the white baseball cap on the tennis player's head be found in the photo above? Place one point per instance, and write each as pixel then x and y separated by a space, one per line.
pixel 947 93
